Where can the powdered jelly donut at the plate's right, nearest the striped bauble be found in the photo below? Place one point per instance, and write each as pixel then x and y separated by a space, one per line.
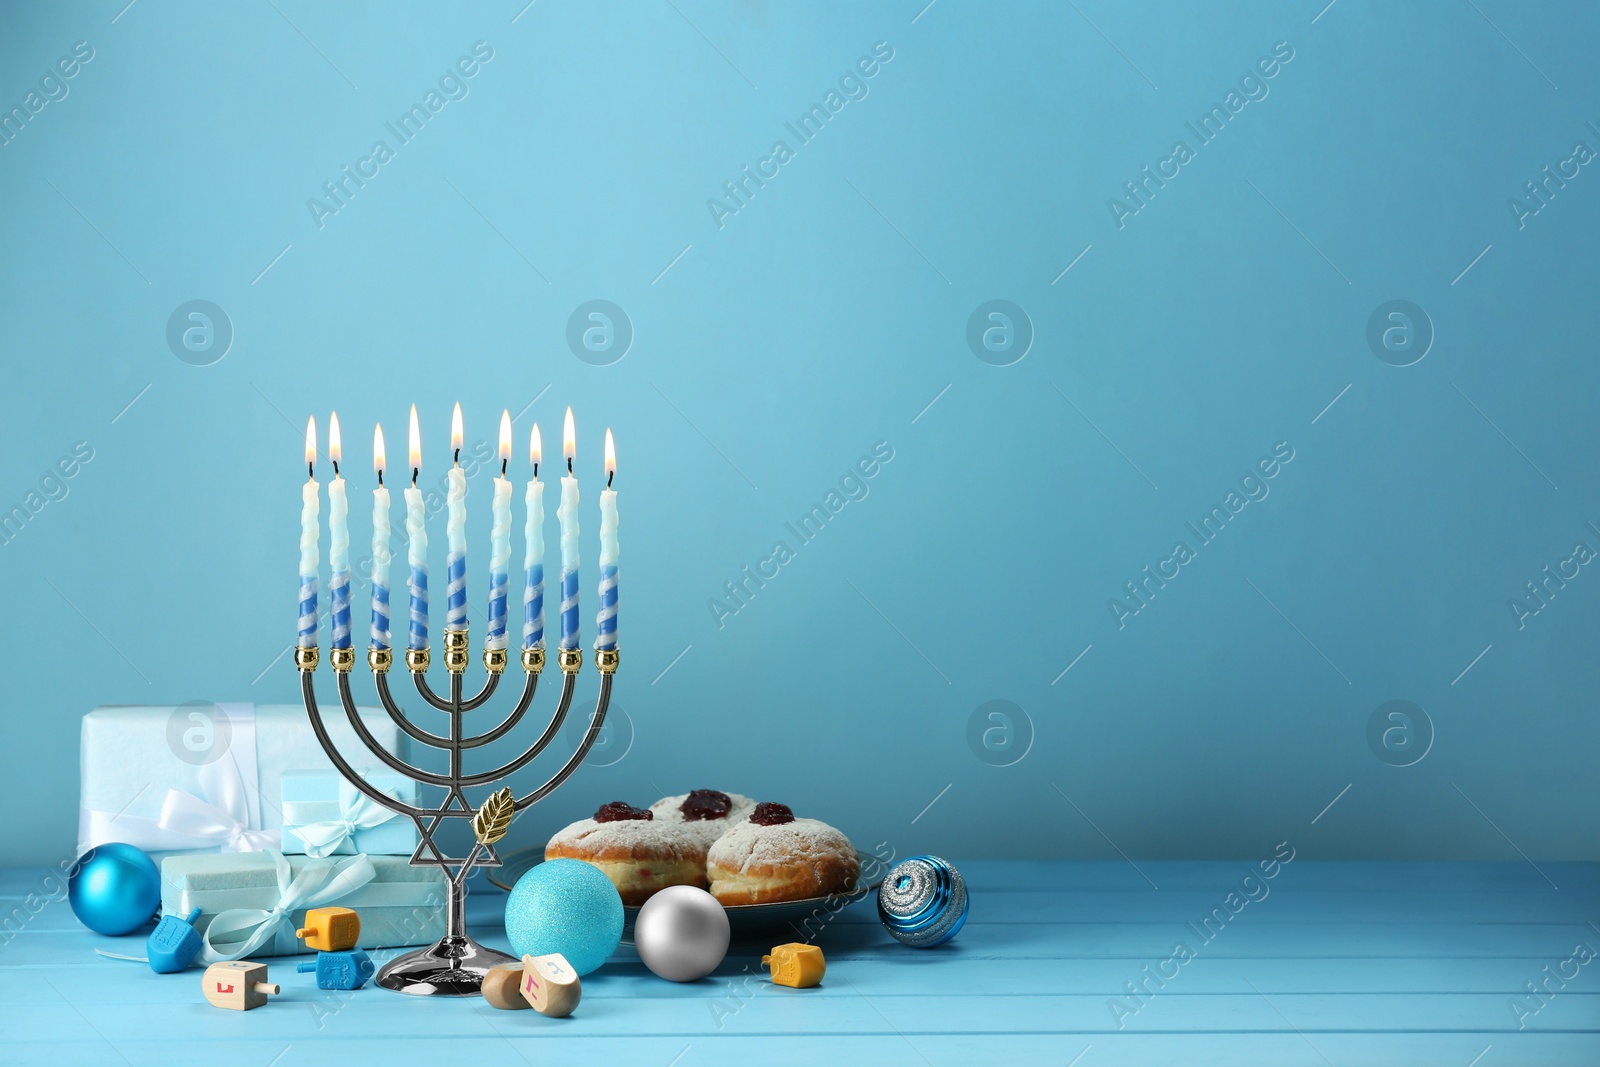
pixel 774 857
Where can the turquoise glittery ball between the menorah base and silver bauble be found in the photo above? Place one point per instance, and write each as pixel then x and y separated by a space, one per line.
pixel 566 906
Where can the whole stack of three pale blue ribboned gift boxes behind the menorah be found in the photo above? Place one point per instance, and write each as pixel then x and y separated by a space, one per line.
pixel 254 826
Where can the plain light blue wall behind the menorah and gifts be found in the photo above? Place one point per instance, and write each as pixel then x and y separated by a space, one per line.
pixel 826 316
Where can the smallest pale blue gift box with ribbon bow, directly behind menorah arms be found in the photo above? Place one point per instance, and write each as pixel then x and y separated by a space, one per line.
pixel 327 817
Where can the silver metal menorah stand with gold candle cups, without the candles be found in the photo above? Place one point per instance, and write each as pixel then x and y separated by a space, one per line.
pixel 455 967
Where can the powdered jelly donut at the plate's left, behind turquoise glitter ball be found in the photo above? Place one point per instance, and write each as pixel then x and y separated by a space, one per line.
pixel 636 852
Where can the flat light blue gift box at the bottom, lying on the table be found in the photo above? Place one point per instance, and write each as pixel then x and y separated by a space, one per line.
pixel 252 903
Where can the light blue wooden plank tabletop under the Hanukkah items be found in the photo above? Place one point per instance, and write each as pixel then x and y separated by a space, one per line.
pixel 1338 964
